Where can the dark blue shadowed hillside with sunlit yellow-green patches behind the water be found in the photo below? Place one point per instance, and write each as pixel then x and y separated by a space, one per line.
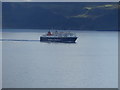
pixel 64 15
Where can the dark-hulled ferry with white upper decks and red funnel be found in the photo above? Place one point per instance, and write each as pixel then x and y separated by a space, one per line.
pixel 65 37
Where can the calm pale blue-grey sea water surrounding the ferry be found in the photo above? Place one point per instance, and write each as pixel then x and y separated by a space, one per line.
pixel 91 62
